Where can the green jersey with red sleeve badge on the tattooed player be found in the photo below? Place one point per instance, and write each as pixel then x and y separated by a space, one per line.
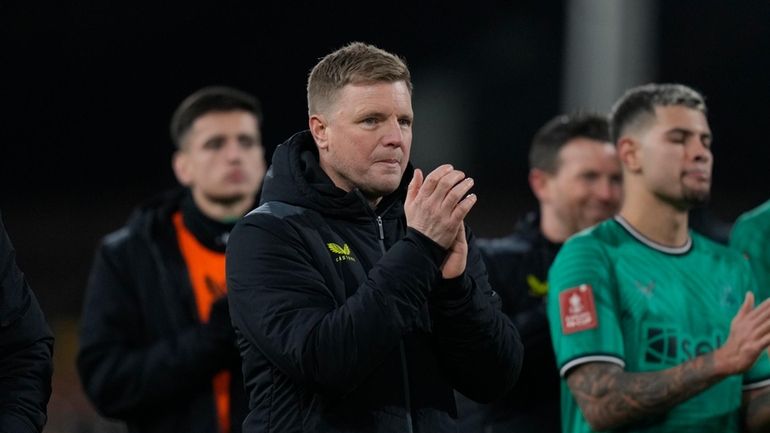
pixel 616 296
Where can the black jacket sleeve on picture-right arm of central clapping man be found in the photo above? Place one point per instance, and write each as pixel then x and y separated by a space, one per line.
pixel 480 349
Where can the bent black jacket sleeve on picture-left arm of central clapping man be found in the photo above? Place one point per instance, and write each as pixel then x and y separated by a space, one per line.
pixel 284 305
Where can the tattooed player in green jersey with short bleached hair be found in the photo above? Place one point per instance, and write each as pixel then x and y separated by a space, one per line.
pixel 654 326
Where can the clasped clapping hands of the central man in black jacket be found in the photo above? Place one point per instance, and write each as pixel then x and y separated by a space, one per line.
pixel 436 206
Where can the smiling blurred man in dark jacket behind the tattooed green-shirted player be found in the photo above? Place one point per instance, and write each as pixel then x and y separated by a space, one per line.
pixel 575 176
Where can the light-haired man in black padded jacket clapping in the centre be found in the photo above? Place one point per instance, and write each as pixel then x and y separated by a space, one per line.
pixel 359 300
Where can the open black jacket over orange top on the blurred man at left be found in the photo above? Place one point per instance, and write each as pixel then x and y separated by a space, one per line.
pixel 144 356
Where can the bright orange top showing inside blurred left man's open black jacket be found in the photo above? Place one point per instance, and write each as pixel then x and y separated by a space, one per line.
pixel 206 269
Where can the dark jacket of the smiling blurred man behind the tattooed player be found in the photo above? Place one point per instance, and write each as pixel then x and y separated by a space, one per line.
pixel 518 268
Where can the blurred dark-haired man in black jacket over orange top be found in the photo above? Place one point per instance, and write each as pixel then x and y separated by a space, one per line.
pixel 157 349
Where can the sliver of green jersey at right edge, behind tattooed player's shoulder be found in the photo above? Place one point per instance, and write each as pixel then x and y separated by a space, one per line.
pixel 750 235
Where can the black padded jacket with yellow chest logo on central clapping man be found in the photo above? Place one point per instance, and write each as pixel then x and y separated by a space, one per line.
pixel 344 322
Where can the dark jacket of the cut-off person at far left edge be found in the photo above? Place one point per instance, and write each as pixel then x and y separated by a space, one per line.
pixel 26 349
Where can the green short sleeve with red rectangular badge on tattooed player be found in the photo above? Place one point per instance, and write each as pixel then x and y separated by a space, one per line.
pixel 581 330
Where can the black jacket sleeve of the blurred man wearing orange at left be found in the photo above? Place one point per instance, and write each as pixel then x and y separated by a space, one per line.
pixel 128 367
